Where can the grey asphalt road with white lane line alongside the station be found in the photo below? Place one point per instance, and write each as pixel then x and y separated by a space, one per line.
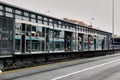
pixel 98 68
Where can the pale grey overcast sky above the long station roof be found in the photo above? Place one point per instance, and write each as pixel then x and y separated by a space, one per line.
pixel 82 10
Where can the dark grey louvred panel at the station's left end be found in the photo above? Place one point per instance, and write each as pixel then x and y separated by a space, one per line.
pixel 6 36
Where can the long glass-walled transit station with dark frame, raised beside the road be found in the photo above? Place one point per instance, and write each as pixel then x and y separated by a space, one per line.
pixel 30 38
